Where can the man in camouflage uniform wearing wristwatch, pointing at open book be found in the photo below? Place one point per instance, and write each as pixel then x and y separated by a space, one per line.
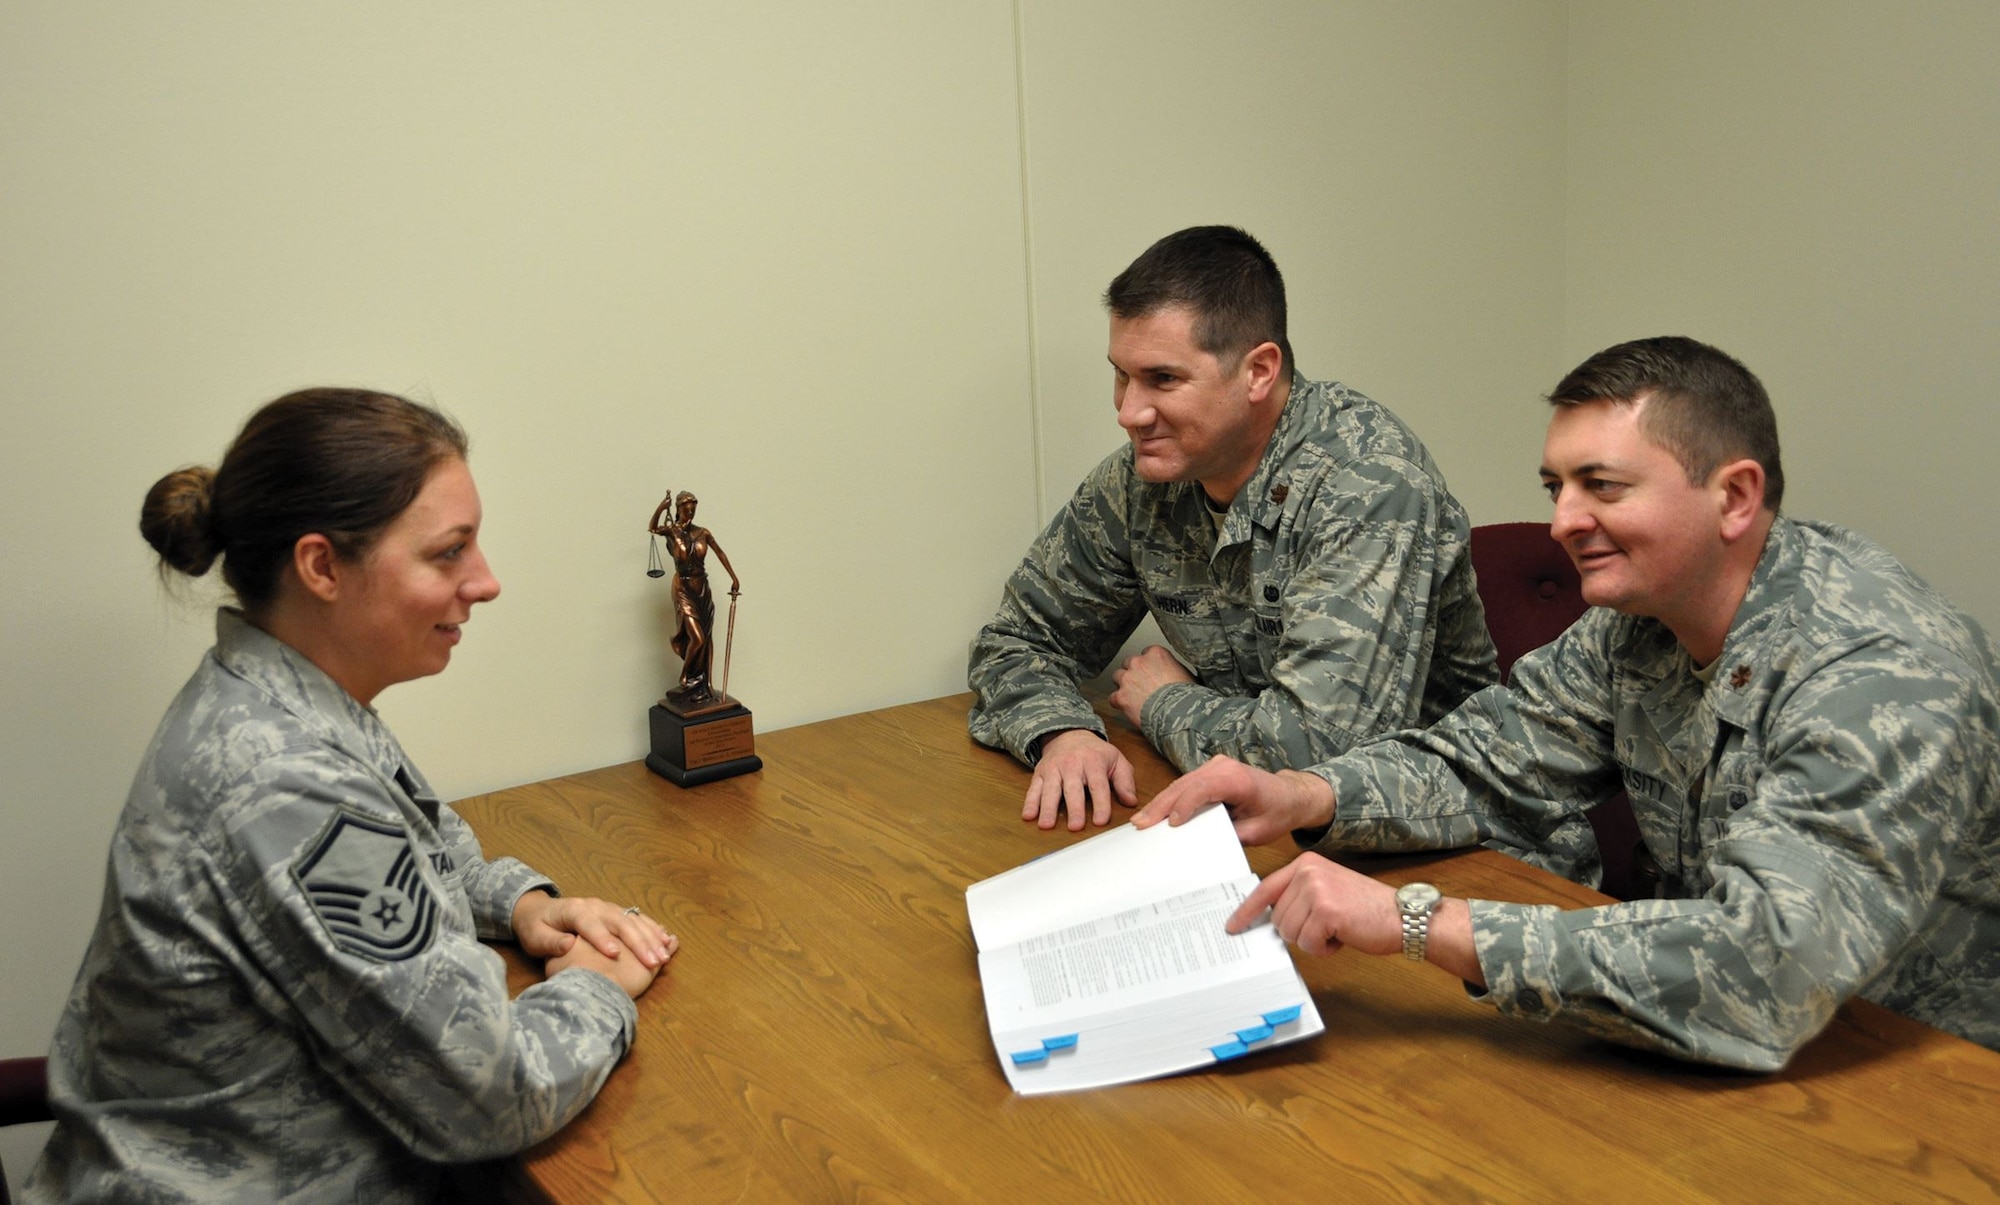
pixel 1811 740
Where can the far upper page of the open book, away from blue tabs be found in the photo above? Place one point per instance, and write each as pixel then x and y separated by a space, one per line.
pixel 1103 876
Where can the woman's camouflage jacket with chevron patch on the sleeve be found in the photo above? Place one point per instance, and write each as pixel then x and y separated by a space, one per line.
pixel 287 996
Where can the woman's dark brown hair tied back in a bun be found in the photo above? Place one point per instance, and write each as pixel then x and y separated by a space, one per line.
pixel 335 461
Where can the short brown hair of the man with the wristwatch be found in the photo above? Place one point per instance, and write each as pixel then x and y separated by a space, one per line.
pixel 1701 405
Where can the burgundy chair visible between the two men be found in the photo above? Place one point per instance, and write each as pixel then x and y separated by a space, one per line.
pixel 1533 595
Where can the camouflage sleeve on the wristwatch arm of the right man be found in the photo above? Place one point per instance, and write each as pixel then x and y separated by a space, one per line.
pixel 1821 874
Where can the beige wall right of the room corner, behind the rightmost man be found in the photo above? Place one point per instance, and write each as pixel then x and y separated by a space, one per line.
pixel 1815 187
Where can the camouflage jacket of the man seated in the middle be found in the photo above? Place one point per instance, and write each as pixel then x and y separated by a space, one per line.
pixel 1335 604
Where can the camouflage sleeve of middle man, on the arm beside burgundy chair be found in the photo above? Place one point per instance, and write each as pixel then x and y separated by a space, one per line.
pixel 1357 628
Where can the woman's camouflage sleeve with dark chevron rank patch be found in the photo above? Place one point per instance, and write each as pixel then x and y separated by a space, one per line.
pixel 365 942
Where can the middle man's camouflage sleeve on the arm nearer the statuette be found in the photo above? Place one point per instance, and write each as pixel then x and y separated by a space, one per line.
pixel 1063 618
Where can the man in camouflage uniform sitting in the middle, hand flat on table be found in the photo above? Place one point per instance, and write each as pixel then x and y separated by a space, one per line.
pixel 1293 539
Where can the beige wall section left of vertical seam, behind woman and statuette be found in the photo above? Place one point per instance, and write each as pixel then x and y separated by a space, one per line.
pixel 771 253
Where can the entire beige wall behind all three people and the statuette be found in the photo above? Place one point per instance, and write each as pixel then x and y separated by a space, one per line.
pixel 837 269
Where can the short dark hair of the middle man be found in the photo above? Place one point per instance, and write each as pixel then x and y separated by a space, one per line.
pixel 1223 277
